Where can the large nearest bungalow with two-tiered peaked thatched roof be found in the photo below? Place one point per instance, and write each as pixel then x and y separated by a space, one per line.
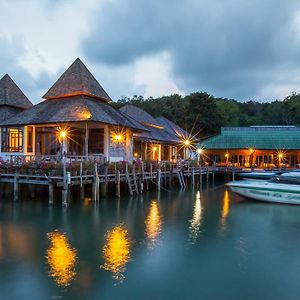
pixel 74 118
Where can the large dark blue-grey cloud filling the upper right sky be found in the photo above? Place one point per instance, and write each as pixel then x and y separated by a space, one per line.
pixel 231 48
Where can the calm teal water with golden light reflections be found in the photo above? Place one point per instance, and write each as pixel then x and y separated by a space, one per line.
pixel 206 244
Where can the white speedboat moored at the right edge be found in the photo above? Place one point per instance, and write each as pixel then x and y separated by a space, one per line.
pixel 280 189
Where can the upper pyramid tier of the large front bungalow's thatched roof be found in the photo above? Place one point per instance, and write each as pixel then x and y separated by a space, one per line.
pixel 77 80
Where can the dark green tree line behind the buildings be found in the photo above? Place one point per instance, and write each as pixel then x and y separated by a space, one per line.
pixel 204 114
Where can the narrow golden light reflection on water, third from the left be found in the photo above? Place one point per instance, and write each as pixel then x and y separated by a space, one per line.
pixel 153 223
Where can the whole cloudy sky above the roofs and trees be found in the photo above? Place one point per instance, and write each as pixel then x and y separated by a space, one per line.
pixel 241 49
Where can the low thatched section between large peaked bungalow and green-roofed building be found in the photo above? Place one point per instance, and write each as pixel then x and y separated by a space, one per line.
pixel 162 139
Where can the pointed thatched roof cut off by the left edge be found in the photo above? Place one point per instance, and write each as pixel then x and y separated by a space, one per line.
pixel 11 95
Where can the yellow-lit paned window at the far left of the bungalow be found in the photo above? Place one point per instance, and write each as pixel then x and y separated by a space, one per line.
pixel 12 140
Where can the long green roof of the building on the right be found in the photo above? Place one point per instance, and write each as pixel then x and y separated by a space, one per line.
pixel 257 137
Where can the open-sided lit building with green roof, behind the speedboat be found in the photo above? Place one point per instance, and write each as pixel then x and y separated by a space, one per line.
pixel 256 146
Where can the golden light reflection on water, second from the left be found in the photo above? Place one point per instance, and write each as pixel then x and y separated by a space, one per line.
pixel 116 252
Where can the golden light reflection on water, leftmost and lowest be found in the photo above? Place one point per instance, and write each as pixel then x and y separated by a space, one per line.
pixel 61 258
